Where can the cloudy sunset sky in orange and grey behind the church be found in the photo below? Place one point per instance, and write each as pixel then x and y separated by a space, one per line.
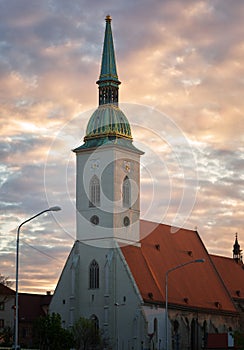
pixel 182 72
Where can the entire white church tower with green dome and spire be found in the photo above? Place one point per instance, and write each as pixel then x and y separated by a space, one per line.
pixel 108 166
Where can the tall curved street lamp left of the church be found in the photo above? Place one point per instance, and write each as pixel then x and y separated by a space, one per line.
pixel 56 208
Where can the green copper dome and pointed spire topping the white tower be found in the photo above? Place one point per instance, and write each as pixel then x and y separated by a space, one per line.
pixel 108 125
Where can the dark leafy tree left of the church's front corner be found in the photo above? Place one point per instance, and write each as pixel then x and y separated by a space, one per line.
pixel 50 335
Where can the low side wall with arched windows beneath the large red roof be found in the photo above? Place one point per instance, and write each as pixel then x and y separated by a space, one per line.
pixel 186 329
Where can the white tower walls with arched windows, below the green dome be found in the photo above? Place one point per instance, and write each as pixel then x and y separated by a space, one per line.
pixel 111 165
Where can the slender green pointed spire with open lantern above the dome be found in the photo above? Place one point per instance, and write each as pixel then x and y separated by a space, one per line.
pixel 108 81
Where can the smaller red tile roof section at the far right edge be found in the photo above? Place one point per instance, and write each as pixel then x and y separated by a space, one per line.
pixel 232 274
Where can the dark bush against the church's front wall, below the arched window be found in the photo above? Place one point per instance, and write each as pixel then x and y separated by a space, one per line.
pixel 86 335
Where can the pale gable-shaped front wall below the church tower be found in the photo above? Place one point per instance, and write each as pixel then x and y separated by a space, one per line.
pixel 116 303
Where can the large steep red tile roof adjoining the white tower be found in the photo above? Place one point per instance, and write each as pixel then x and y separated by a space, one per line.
pixel 197 285
